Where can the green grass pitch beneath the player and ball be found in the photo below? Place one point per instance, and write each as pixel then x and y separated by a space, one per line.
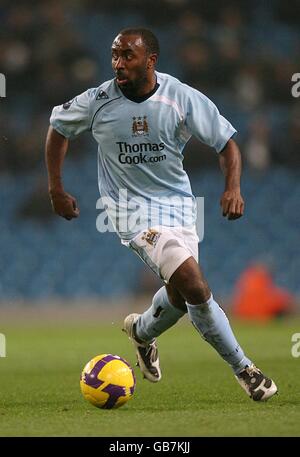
pixel 197 396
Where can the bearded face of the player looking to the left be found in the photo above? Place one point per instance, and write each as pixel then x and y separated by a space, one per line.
pixel 131 62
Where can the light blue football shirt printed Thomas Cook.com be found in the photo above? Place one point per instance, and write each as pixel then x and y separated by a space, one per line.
pixel 140 149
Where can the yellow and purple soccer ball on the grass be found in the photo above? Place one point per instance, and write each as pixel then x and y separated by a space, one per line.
pixel 107 381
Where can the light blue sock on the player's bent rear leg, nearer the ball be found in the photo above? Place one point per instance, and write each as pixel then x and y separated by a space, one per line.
pixel 159 317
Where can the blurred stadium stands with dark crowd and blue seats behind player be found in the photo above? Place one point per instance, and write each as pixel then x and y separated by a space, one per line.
pixel 241 54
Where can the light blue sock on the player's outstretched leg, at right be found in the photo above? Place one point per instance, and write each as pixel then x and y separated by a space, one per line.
pixel 212 323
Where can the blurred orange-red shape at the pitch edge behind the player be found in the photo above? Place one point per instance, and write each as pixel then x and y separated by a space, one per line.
pixel 256 296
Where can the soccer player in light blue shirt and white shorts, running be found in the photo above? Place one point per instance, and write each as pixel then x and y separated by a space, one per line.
pixel 141 120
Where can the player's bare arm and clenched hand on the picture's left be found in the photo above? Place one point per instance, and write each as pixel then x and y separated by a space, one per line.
pixel 56 148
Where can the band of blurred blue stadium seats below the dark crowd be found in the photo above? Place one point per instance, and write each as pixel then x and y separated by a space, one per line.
pixel 42 258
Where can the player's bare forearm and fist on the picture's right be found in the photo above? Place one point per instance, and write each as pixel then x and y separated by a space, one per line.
pixel 231 202
